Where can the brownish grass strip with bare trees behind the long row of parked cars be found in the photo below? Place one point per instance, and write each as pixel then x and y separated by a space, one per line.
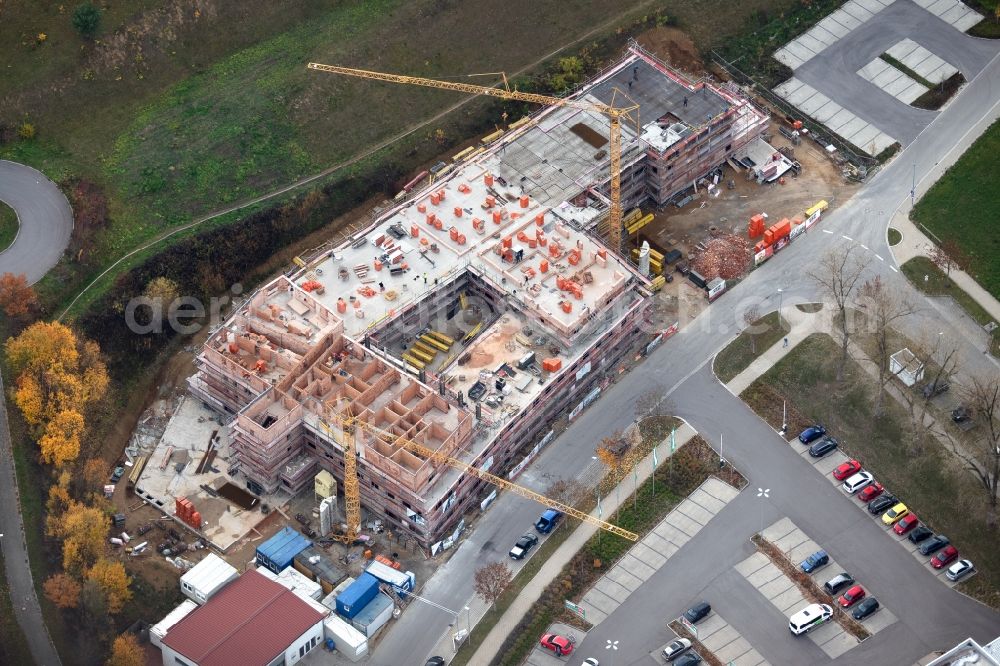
pixel 945 497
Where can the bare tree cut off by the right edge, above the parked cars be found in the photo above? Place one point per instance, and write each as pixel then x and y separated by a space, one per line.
pixel 981 453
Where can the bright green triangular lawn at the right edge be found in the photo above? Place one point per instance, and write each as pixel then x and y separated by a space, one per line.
pixel 964 207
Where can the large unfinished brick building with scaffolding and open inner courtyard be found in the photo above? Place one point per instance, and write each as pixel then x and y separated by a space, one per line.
pixel 471 314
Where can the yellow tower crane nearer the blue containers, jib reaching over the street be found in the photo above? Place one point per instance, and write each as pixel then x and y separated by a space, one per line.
pixel 352 500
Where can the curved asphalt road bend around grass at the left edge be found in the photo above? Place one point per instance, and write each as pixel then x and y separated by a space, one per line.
pixel 45 217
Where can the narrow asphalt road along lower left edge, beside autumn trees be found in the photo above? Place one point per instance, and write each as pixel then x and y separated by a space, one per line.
pixel 15 555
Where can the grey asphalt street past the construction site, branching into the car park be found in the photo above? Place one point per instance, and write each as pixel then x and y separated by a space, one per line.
pixel 930 614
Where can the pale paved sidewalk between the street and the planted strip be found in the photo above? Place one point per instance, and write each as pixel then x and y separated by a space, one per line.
pixel 532 591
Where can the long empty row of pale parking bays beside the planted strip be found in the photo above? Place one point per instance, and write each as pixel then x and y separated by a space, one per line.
pixel 653 550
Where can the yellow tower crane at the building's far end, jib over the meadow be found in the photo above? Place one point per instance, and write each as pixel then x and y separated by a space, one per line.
pixel 614 114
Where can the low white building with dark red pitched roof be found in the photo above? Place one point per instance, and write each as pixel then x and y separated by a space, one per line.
pixel 253 621
